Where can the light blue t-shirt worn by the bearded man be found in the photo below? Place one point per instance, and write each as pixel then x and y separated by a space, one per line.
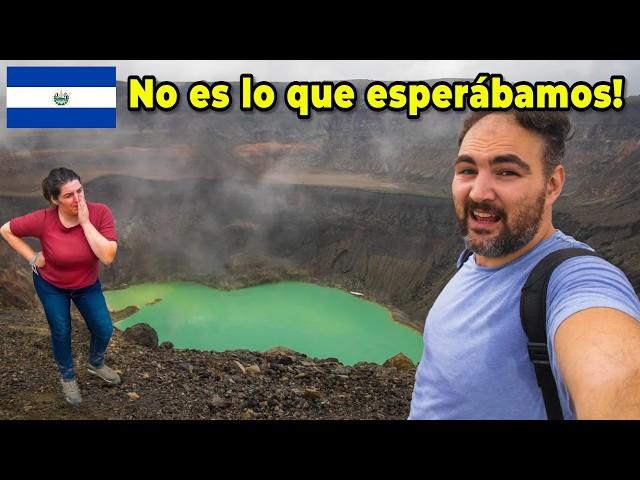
pixel 475 363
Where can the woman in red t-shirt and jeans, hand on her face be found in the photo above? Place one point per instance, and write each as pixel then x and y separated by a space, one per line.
pixel 75 235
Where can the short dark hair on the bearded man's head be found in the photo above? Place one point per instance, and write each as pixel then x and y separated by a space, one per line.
pixel 554 127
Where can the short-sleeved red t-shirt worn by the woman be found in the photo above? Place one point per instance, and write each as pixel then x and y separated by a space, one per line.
pixel 70 262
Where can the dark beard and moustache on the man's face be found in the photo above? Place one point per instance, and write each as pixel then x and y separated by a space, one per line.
pixel 518 227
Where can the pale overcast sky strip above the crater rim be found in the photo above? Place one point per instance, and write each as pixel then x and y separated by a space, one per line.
pixel 569 71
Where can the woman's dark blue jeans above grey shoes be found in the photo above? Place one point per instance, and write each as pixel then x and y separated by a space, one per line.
pixel 91 304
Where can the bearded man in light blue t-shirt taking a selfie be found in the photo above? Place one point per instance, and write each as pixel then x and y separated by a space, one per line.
pixel 475 363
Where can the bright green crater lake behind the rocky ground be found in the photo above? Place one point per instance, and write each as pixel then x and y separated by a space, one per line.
pixel 318 321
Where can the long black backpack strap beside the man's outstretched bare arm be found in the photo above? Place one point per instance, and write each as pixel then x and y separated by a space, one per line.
pixel 533 314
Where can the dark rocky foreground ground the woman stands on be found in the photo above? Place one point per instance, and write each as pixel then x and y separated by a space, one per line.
pixel 164 383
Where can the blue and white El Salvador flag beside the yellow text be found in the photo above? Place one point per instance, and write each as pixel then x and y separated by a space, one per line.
pixel 61 97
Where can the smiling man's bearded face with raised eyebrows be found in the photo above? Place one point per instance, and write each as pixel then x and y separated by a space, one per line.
pixel 499 187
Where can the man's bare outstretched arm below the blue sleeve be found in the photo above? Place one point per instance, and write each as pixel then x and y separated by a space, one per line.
pixel 598 351
